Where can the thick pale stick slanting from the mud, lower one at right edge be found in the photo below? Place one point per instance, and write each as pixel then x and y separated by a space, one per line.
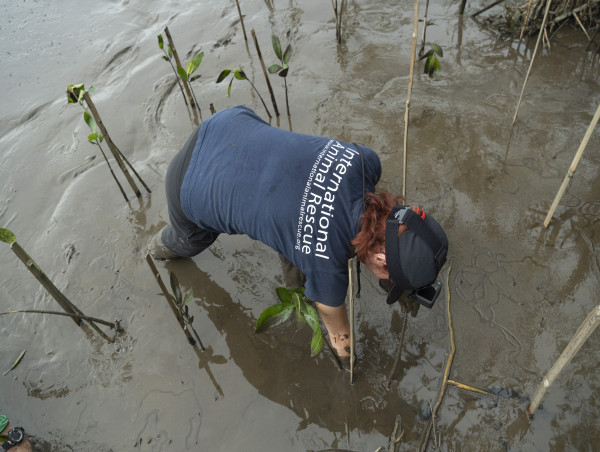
pixel 583 332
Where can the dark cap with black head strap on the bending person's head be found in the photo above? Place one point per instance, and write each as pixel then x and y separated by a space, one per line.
pixel 415 258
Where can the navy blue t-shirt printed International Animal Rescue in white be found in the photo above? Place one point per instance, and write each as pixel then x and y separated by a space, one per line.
pixel 302 195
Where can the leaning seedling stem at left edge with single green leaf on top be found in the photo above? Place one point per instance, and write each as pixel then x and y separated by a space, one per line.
pixel 8 237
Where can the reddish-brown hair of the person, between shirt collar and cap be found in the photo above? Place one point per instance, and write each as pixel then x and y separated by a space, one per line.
pixel 372 233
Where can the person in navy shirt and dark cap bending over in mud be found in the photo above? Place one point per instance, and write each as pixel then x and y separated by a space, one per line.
pixel 310 198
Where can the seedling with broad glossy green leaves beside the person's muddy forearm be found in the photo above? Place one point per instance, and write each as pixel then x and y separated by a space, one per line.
pixel 294 300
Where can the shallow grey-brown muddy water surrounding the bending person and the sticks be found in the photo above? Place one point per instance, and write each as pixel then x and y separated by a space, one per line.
pixel 518 291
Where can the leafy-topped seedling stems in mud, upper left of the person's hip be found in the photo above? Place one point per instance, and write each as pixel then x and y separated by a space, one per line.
pixel 78 94
